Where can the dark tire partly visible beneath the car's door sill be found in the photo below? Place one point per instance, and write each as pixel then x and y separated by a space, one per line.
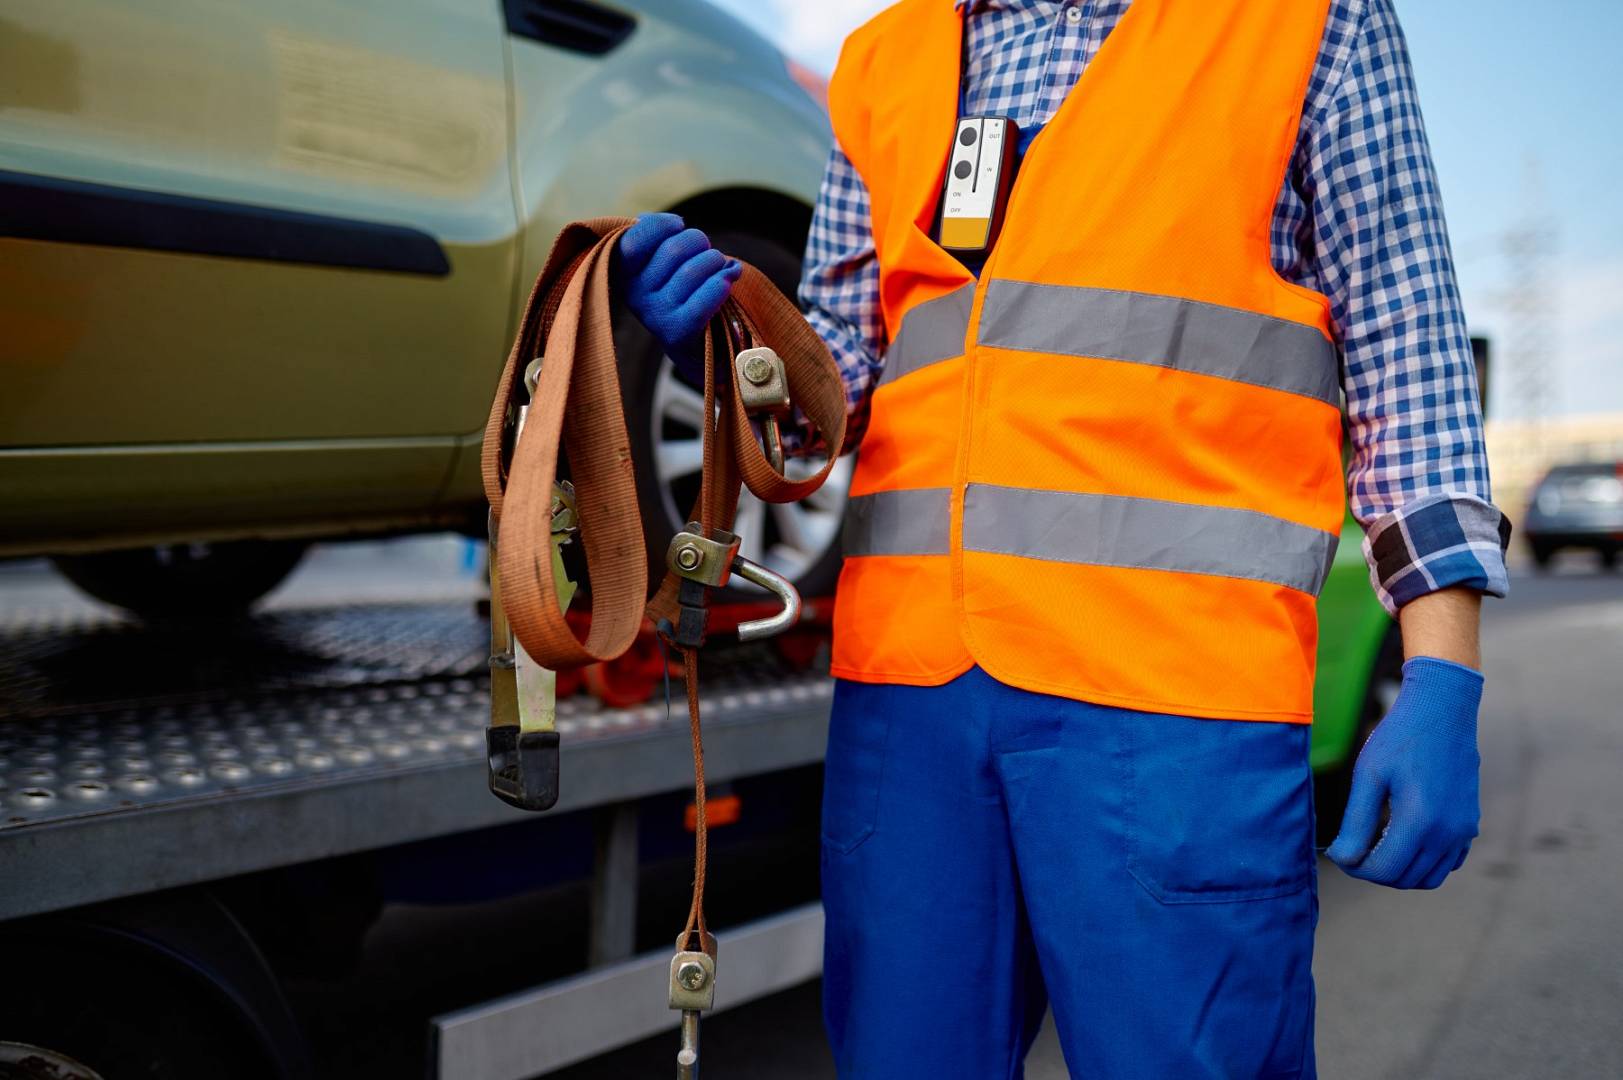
pixel 184 581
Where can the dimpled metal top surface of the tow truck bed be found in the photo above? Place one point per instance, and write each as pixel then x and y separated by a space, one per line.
pixel 106 717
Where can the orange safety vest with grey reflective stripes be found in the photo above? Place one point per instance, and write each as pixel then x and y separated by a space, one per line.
pixel 1111 470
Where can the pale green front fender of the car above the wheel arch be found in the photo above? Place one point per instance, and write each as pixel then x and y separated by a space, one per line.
pixel 699 105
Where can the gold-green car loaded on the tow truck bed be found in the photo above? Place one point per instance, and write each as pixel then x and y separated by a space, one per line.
pixel 260 264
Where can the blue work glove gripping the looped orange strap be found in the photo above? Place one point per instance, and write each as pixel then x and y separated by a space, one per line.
pixel 674 282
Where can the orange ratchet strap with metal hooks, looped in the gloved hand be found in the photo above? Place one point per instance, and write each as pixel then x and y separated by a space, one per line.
pixel 577 407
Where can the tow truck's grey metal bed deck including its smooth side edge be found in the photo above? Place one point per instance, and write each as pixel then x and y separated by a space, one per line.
pixel 145 758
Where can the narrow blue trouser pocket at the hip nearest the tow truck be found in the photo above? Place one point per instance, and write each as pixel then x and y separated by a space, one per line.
pixel 855 766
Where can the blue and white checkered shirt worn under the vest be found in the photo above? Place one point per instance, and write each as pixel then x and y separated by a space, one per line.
pixel 1359 218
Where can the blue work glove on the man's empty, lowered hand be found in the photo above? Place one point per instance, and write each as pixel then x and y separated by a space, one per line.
pixel 1424 759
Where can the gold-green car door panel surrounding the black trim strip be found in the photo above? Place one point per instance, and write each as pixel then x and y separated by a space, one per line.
pixel 379 113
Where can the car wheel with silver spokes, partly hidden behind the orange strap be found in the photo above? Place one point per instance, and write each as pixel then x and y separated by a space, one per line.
pixel 799 542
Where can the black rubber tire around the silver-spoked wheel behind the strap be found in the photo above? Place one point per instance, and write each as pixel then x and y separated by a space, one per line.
pixel 640 373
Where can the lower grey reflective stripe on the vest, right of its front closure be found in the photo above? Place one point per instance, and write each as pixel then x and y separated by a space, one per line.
pixel 1147 535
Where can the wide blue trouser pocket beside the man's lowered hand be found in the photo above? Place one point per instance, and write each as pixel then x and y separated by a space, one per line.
pixel 1216 811
